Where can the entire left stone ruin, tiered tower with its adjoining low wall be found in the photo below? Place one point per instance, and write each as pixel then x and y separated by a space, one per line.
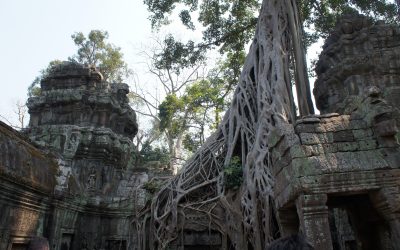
pixel 73 181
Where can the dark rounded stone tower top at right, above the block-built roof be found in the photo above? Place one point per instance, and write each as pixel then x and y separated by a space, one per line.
pixel 357 55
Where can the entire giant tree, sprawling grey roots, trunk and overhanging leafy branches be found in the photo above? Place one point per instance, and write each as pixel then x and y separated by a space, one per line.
pixel 230 181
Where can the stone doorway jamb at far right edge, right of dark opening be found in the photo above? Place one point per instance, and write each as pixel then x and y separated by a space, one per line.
pixel 387 202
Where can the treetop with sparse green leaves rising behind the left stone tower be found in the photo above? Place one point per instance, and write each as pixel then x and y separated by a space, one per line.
pixel 94 50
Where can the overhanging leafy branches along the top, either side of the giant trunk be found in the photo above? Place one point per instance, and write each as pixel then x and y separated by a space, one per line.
pixel 230 24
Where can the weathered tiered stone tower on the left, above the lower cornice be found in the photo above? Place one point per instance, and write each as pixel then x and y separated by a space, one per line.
pixel 89 123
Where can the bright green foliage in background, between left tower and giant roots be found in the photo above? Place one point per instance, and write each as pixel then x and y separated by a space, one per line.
pixel 191 114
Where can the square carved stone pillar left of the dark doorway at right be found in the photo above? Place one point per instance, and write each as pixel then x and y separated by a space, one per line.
pixel 313 217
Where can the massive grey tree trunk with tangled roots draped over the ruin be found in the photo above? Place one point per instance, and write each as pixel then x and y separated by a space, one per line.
pixel 262 102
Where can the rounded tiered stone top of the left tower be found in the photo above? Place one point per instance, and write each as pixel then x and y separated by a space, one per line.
pixel 75 94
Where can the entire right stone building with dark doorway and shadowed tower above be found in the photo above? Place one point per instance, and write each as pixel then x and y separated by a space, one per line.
pixel 337 174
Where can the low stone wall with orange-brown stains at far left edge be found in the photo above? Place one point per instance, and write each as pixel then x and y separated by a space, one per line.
pixel 27 180
